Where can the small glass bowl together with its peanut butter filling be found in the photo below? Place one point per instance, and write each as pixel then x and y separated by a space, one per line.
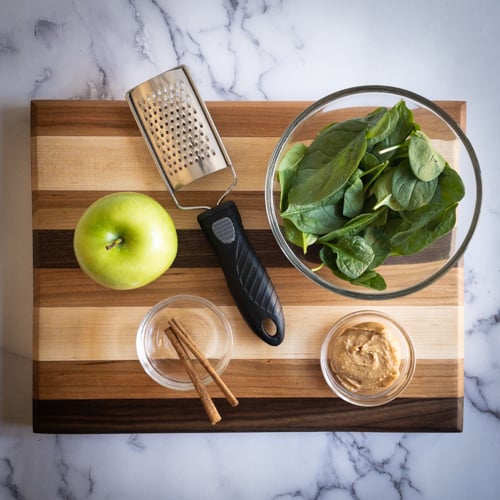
pixel 367 358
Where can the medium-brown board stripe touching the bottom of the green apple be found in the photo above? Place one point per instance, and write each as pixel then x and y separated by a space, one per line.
pixel 72 288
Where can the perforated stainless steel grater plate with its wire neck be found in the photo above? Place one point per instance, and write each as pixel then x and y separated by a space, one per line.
pixel 179 131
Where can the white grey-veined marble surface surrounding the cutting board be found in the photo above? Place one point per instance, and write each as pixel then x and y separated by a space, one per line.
pixel 265 49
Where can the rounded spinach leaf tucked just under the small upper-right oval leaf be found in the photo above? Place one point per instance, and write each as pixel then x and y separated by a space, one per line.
pixel 409 191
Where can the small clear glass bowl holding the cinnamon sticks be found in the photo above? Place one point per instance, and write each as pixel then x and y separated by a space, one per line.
pixel 208 327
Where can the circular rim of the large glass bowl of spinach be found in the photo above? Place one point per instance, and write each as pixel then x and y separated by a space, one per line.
pixel 309 111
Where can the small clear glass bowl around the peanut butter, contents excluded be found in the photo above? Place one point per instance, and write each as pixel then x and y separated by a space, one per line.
pixel 402 342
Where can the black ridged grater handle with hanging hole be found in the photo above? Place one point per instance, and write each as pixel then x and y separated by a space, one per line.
pixel 246 278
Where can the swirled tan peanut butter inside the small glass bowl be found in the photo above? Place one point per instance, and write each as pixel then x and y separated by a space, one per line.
pixel 366 357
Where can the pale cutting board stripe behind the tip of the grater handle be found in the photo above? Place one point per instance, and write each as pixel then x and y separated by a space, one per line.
pixel 108 333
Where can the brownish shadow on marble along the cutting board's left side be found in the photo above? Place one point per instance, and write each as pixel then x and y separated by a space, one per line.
pixel 16 266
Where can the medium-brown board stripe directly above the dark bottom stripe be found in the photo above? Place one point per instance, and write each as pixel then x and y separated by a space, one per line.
pixel 283 379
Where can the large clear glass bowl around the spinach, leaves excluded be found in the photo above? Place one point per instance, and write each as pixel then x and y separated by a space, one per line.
pixel 403 274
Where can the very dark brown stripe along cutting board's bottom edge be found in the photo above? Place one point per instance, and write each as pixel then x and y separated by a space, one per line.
pixel 274 414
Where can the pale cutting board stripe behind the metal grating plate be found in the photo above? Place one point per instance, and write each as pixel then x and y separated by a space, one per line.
pixel 92 163
